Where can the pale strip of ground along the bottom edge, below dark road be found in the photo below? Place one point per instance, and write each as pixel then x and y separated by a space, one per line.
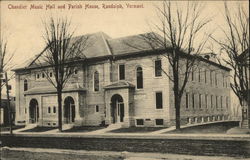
pixel 28 153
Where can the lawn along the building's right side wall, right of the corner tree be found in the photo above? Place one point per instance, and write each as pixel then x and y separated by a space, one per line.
pixel 215 128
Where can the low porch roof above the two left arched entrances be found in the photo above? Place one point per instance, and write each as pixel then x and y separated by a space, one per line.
pixel 46 90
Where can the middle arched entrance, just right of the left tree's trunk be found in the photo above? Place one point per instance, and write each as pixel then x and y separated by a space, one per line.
pixel 69 110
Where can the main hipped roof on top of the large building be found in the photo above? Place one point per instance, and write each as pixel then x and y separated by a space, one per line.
pixel 101 45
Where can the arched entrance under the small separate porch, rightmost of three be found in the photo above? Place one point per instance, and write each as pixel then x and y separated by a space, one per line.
pixel 117 108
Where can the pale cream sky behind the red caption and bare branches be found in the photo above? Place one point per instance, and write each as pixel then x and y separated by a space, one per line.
pixel 23 27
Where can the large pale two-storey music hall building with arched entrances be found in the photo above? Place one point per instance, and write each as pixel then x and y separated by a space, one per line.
pixel 119 83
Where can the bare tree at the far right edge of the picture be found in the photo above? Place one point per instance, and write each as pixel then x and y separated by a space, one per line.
pixel 235 45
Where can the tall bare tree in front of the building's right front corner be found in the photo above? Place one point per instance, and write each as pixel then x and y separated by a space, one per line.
pixel 179 33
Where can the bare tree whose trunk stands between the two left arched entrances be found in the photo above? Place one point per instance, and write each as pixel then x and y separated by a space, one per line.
pixel 60 56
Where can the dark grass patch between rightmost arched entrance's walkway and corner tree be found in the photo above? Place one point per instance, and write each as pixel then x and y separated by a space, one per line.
pixel 137 129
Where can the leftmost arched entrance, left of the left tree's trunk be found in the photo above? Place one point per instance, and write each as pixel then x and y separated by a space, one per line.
pixel 33 111
